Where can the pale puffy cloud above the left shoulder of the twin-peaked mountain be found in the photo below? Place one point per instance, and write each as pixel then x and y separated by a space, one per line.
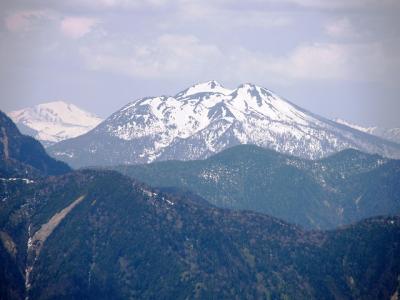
pixel 167 56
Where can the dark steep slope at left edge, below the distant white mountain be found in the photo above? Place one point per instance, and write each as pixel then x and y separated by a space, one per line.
pixel 23 156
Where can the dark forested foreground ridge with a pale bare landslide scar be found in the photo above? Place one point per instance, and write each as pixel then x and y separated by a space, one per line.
pixel 78 237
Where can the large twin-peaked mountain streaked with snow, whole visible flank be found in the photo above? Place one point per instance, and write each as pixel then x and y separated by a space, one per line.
pixel 207 118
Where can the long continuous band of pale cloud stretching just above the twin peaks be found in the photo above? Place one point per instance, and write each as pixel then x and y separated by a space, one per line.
pixel 185 56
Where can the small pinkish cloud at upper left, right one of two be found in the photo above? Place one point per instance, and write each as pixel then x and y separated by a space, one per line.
pixel 77 27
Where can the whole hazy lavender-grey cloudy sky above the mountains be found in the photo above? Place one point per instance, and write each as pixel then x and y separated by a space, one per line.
pixel 337 58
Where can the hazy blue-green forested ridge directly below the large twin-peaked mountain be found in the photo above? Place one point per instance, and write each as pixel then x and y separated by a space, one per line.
pixel 340 189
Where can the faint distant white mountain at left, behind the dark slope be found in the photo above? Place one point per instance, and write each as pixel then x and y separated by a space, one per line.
pixel 54 121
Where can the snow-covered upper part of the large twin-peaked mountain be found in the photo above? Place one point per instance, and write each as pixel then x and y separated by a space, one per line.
pixel 197 108
